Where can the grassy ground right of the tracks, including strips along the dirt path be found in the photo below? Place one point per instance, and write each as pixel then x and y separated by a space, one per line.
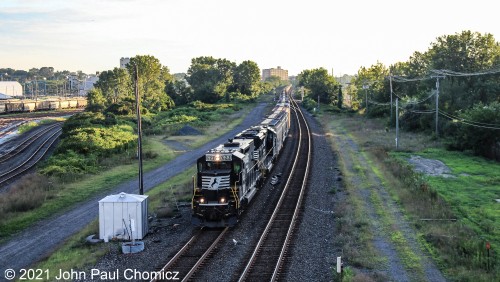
pixel 453 217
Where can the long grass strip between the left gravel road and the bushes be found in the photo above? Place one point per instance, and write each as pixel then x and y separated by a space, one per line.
pixel 58 196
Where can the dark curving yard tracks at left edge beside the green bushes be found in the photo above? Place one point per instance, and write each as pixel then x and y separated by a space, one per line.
pixel 22 155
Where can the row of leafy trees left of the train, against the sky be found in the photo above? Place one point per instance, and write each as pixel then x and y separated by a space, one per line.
pixel 208 80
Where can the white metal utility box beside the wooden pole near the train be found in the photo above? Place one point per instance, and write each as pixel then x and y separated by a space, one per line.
pixel 123 216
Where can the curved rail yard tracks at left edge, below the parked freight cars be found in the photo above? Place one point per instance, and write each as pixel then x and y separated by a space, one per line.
pixel 44 139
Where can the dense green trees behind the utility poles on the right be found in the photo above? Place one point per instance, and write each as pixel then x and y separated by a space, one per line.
pixel 467 65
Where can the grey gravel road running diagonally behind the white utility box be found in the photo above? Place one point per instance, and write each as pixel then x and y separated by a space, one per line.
pixel 41 239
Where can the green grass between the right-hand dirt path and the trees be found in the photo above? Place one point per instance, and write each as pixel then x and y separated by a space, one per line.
pixel 458 247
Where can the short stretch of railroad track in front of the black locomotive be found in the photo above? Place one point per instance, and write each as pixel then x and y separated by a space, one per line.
pixel 185 263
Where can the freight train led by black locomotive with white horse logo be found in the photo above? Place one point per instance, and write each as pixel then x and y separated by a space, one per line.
pixel 228 176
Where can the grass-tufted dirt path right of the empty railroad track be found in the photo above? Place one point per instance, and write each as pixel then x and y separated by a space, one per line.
pixel 399 255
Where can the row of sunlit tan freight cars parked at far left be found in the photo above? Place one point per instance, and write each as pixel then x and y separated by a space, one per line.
pixel 16 106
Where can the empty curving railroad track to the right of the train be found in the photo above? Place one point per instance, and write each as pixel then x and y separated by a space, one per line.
pixel 266 261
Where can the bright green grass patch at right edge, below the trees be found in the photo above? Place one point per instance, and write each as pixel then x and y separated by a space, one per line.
pixel 472 192
